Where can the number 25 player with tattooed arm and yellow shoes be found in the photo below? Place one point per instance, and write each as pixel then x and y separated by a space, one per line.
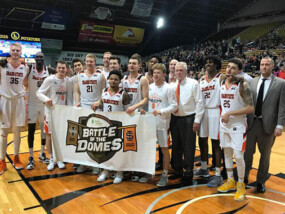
pixel 236 102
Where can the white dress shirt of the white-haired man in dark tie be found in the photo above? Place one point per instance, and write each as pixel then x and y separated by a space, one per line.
pixel 190 101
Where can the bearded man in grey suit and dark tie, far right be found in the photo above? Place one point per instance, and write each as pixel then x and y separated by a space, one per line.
pixel 267 121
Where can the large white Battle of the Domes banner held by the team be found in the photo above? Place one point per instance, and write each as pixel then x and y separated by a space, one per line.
pixel 108 140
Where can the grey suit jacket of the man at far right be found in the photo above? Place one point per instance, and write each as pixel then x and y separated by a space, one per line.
pixel 273 107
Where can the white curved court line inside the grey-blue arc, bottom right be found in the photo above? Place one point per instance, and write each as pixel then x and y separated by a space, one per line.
pixel 180 210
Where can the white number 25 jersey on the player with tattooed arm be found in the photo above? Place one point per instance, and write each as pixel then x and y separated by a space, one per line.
pixel 232 100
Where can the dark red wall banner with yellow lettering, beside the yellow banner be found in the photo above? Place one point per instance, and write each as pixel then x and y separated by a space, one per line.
pixel 96 33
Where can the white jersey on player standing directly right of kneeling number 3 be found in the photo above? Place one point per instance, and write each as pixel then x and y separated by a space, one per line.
pixel 133 89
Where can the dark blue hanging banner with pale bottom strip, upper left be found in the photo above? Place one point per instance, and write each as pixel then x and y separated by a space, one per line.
pixel 54 19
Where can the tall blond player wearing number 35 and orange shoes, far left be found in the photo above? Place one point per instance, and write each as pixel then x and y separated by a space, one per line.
pixel 12 104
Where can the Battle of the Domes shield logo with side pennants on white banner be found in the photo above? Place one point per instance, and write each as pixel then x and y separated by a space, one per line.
pixel 100 137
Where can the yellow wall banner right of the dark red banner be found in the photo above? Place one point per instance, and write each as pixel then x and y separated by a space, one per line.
pixel 128 35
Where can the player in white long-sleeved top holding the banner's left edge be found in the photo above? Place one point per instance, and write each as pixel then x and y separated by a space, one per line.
pixel 54 91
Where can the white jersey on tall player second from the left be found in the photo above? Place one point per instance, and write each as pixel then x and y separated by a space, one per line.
pixel 35 82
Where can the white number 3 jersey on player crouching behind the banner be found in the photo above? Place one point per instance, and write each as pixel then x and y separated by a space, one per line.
pixel 112 102
